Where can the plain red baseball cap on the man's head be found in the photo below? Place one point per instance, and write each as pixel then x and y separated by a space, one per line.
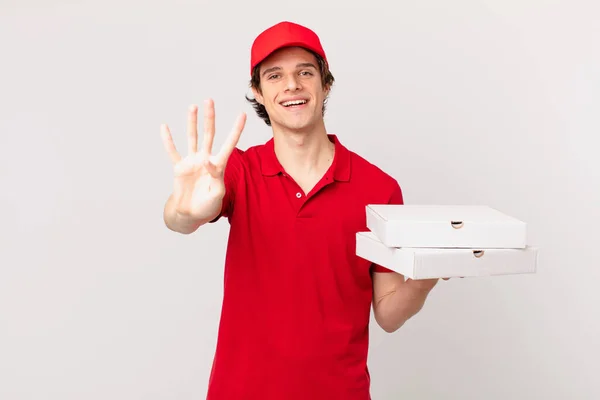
pixel 284 34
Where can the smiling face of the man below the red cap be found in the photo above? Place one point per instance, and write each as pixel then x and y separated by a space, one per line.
pixel 291 89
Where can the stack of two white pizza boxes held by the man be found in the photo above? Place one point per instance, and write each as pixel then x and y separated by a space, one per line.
pixel 445 241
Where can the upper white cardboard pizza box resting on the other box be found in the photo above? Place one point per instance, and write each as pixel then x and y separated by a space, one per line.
pixel 451 226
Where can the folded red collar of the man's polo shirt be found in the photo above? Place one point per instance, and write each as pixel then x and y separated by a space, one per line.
pixel 270 165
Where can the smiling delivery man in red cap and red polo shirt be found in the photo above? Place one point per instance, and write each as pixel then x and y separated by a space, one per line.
pixel 297 300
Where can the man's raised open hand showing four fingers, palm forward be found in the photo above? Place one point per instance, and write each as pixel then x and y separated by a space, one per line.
pixel 198 178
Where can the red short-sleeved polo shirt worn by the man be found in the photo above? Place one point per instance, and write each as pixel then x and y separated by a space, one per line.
pixel 297 299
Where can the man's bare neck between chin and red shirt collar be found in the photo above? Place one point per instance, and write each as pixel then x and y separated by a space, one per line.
pixel 304 152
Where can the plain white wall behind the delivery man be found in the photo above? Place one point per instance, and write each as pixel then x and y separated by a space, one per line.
pixel 469 102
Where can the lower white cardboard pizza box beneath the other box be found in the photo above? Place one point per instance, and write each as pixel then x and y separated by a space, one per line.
pixel 423 263
